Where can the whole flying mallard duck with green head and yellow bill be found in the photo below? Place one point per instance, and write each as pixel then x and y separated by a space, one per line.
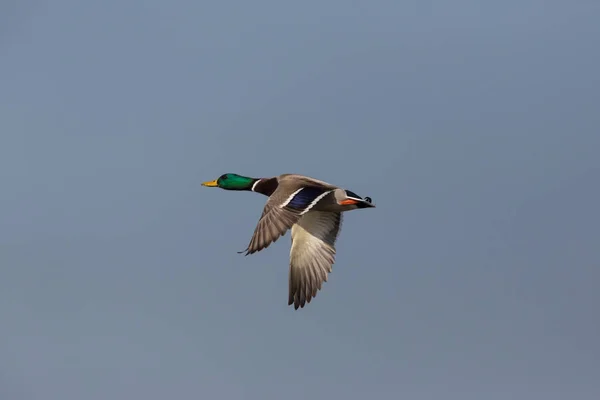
pixel 312 209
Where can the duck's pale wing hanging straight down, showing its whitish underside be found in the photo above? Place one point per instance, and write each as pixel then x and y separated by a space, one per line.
pixel 312 254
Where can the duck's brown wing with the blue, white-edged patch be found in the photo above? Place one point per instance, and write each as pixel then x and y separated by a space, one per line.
pixel 281 212
